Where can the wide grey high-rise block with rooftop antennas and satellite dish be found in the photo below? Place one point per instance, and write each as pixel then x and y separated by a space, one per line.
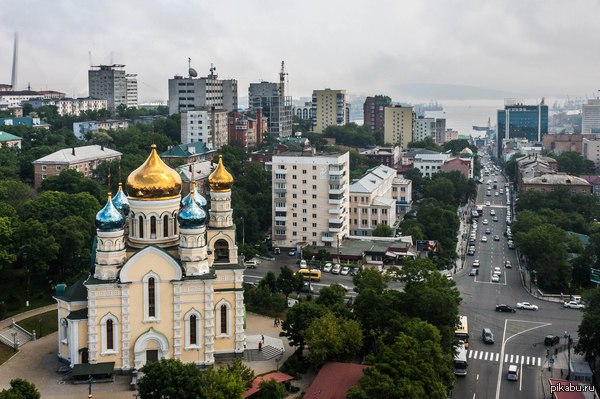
pixel 187 93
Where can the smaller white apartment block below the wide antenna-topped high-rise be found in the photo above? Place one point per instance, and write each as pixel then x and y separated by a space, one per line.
pixel 197 126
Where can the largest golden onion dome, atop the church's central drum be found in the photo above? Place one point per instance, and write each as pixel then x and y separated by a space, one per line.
pixel 154 180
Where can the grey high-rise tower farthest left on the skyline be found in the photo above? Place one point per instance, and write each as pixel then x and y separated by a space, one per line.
pixel 109 82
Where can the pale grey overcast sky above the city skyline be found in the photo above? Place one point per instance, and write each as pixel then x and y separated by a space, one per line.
pixel 534 48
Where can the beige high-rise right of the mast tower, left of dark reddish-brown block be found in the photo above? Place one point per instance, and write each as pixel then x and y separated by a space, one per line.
pixel 330 109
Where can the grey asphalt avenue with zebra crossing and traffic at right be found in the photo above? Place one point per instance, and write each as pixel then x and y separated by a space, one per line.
pixel 519 337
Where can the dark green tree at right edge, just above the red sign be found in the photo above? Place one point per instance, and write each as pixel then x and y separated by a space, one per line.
pixel 589 339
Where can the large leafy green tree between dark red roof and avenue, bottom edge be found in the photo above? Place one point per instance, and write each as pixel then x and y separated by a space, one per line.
pixel 413 367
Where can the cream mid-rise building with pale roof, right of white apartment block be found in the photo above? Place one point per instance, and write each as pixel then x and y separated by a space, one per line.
pixel 373 199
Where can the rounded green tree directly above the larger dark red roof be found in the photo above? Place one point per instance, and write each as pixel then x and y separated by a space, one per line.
pixel 330 338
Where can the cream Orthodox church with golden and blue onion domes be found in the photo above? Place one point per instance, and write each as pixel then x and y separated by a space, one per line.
pixel 165 279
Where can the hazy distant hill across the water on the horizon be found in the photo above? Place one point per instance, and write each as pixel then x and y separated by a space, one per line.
pixel 427 91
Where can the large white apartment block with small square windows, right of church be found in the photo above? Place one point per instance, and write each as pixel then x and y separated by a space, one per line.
pixel 310 198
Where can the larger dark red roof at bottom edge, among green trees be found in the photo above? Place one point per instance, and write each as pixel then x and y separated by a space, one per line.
pixel 334 380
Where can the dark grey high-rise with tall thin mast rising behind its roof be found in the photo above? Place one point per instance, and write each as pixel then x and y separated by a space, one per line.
pixel 277 107
